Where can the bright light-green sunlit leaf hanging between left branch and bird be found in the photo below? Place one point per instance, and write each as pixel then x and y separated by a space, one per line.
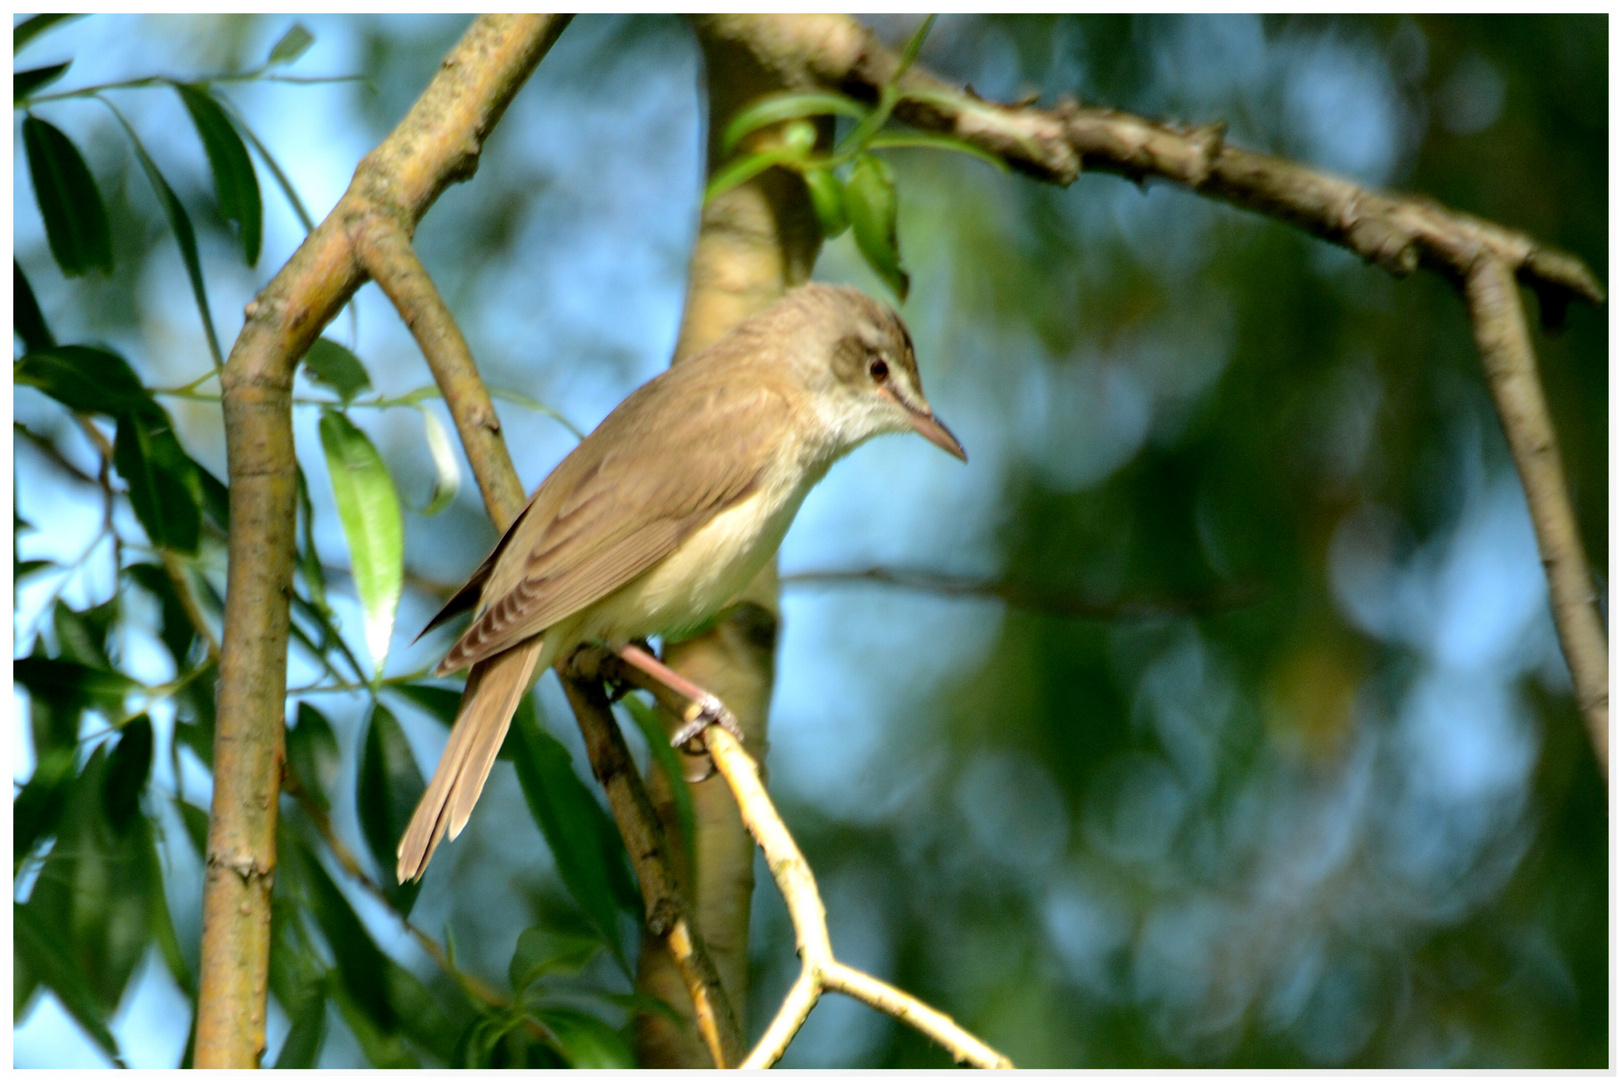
pixel 373 525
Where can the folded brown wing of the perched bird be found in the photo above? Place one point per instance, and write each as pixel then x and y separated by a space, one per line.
pixel 679 451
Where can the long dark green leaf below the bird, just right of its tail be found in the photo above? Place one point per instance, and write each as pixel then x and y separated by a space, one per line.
pixel 590 856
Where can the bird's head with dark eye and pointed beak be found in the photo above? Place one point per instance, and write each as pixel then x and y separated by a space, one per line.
pixel 860 368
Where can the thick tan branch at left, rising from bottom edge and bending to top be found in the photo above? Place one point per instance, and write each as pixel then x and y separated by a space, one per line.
pixel 436 145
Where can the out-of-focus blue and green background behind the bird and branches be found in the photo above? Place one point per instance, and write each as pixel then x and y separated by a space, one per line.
pixel 1302 781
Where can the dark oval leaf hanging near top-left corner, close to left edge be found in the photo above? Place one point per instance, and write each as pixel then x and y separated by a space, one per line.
pixel 69 200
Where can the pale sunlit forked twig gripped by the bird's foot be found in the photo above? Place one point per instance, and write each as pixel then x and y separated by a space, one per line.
pixel 822 971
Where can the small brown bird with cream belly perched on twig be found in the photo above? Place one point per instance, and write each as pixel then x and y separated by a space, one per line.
pixel 666 511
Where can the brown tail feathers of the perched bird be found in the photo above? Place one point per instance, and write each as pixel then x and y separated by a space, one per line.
pixel 493 692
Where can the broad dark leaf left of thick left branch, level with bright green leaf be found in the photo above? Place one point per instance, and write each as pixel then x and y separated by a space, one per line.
pixel 164 490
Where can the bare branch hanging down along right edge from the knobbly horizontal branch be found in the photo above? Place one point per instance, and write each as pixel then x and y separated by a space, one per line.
pixel 1505 346
